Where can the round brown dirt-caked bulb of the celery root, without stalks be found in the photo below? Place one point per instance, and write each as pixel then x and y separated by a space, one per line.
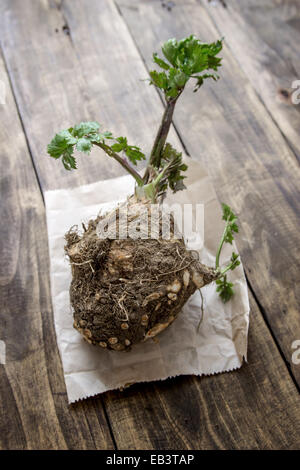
pixel 124 291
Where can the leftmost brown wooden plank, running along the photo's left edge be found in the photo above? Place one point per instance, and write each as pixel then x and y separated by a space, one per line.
pixel 33 406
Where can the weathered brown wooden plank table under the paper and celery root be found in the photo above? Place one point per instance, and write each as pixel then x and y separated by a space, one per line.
pixel 72 60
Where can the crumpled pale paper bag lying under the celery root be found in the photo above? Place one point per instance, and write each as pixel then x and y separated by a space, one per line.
pixel 220 345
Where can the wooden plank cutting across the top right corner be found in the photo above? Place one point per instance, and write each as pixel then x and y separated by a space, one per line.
pixel 264 36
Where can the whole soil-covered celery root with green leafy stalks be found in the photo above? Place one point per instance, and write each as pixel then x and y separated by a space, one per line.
pixel 126 290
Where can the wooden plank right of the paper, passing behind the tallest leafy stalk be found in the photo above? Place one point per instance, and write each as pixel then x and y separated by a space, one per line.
pixel 226 126
